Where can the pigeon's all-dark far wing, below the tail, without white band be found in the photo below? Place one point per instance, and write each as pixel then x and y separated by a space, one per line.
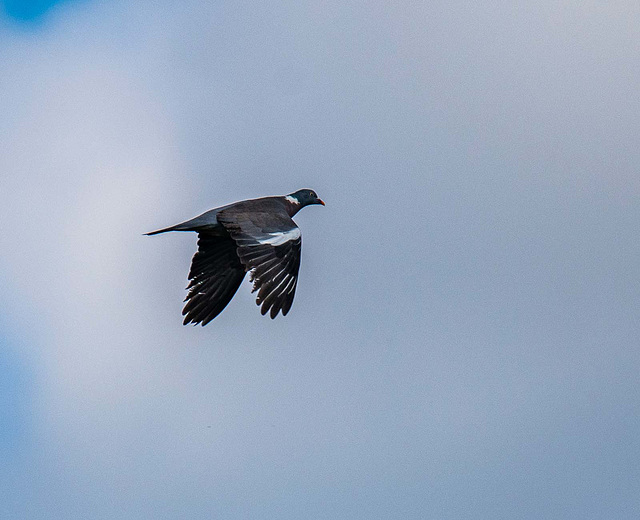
pixel 216 274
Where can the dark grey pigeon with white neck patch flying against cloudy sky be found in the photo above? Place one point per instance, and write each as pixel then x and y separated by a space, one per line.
pixel 257 236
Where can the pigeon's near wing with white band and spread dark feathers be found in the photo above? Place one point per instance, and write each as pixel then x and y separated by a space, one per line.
pixel 268 245
